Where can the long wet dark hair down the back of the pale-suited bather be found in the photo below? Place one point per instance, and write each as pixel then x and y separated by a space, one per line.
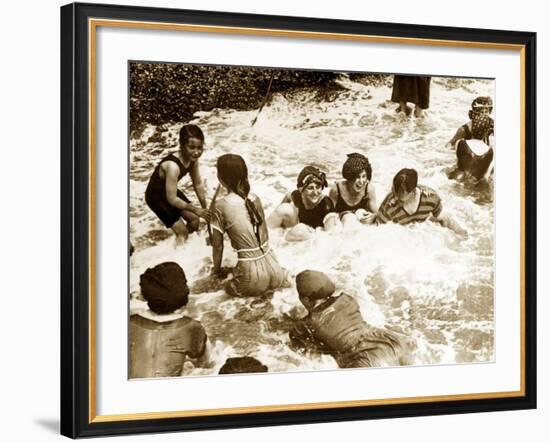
pixel 233 172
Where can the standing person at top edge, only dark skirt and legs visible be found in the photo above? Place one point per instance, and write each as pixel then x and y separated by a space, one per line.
pixel 411 89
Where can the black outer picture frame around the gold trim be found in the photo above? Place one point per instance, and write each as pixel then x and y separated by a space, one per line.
pixel 77 417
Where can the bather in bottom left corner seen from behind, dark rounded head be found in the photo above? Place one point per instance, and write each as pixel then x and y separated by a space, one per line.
pixel 163 338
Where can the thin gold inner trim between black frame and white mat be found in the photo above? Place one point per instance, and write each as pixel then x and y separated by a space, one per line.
pixel 93 24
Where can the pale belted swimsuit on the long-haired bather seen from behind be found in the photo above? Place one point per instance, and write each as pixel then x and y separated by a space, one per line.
pixel 258 270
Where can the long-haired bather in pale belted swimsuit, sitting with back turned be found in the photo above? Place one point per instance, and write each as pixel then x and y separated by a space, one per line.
pixel 240 214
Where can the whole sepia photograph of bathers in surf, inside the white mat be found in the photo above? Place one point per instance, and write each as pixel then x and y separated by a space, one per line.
pixel 285 220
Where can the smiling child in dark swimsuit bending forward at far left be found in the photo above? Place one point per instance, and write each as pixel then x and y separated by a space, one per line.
pixel 162 196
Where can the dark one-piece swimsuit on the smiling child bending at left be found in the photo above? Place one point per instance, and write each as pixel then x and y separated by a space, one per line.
pixel 155 195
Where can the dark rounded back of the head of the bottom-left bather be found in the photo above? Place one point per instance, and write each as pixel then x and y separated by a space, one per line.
pixel 164 287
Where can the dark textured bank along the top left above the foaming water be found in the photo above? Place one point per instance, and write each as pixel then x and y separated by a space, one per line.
pixel 164 93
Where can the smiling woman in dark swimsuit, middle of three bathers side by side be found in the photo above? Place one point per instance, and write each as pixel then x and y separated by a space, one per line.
pixel 354 197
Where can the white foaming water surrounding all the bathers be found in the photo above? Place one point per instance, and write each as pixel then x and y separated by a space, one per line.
pixel 422 281
